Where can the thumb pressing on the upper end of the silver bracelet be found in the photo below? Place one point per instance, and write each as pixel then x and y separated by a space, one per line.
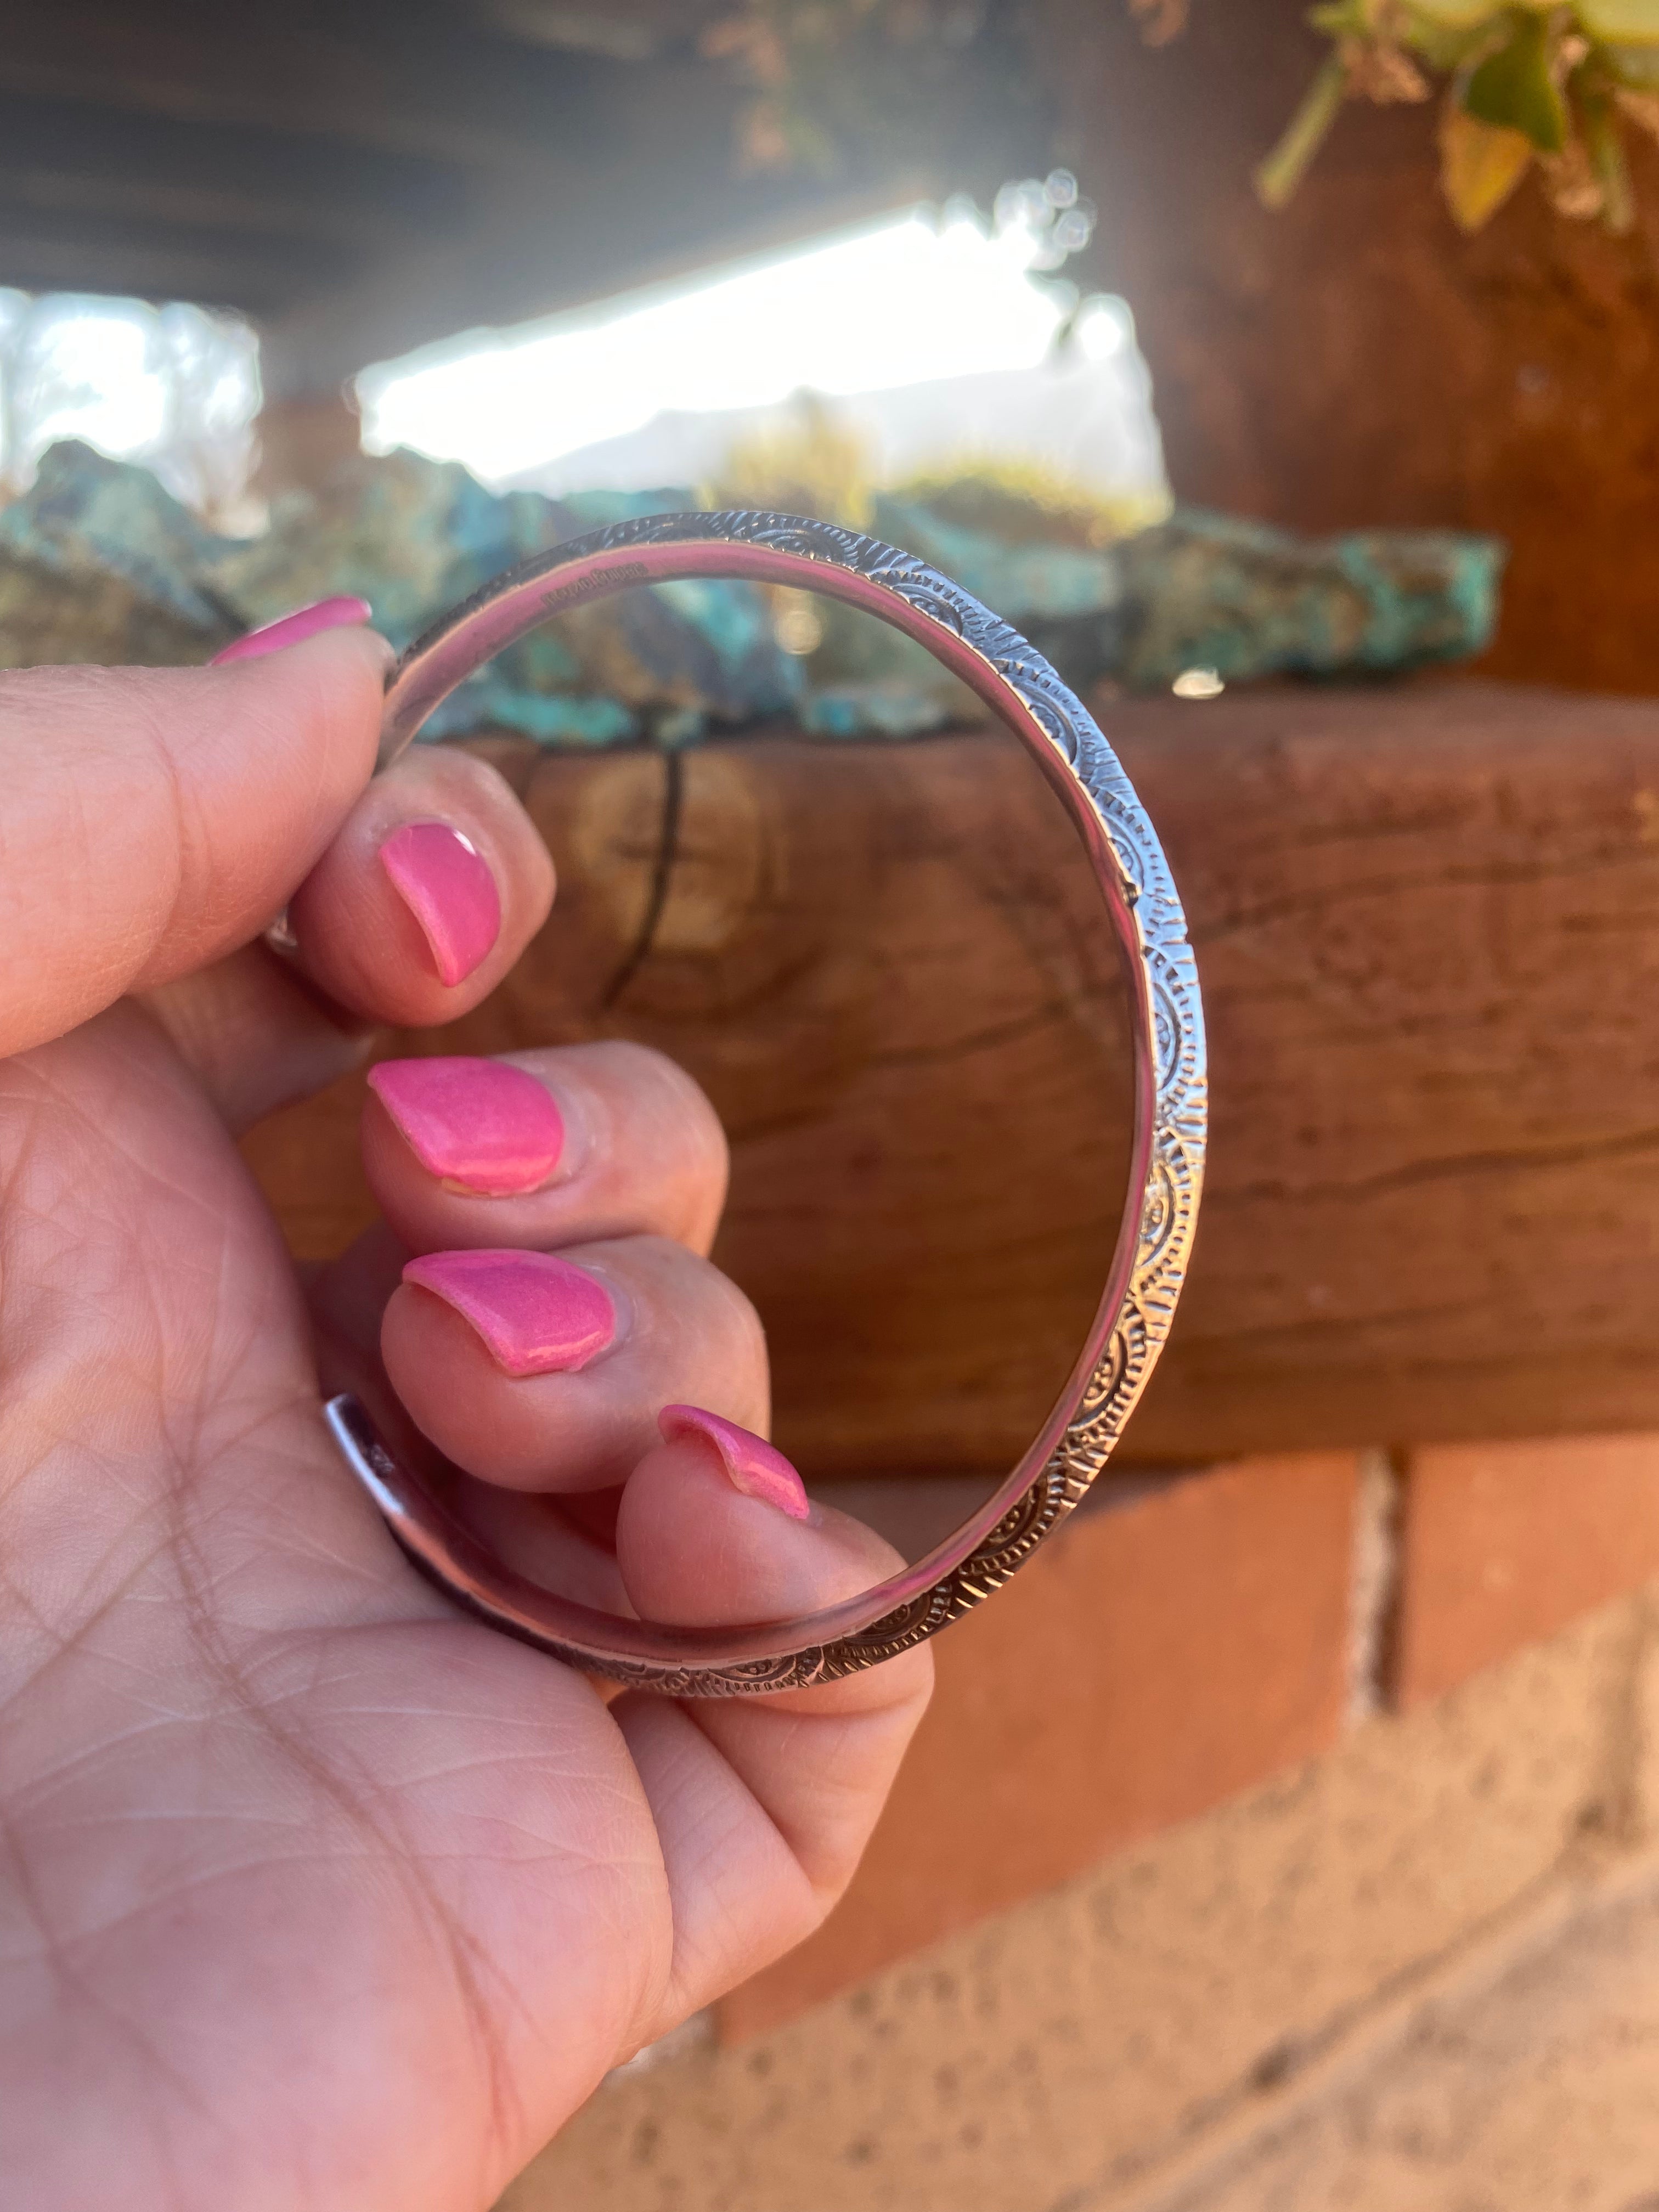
pixel 152 820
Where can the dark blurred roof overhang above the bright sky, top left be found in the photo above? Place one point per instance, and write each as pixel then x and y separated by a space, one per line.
pixel 481 167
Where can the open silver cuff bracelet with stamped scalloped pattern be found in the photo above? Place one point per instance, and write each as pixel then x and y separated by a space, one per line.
pixel 1167 1165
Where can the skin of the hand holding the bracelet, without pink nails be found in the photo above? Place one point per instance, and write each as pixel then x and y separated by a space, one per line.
pixel 313 1892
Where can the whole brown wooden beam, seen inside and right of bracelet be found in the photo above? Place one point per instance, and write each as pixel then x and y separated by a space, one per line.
pixel 1428 926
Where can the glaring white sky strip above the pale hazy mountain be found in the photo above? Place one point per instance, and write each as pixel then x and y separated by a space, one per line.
pixel 897 304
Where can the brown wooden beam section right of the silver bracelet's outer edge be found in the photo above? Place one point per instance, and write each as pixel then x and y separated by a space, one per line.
pixel 1428 928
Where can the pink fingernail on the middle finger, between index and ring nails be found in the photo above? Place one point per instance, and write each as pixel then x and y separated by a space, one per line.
pixel 479 1125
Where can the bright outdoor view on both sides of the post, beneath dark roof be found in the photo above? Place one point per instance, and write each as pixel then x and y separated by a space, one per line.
pixel 930 337
